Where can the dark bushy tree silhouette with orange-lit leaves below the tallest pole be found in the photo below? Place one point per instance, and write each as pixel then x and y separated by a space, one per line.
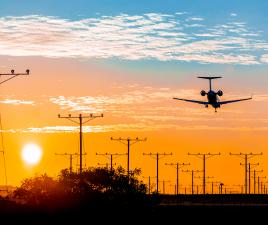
pixel 93 188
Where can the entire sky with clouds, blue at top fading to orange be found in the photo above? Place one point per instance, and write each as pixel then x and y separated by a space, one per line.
pixel 127 60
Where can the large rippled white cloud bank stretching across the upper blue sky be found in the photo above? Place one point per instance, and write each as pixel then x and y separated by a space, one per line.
pixel 157 36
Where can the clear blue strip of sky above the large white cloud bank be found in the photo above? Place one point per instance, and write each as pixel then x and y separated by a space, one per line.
pixel 253 12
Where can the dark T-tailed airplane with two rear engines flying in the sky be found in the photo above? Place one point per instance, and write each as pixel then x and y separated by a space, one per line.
pixel 212 96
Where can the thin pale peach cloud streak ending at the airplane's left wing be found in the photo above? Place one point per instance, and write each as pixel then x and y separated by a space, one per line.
pixel 138 96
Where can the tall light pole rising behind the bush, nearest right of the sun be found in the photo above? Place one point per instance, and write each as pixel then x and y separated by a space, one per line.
pixel 80 121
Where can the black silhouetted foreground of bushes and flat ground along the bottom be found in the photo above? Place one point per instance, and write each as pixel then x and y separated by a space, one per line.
pixel 106 196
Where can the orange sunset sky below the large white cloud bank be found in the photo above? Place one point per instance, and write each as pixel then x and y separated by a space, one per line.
pixel 132 107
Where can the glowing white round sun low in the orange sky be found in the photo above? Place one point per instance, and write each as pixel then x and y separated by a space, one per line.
pixel 31 154
